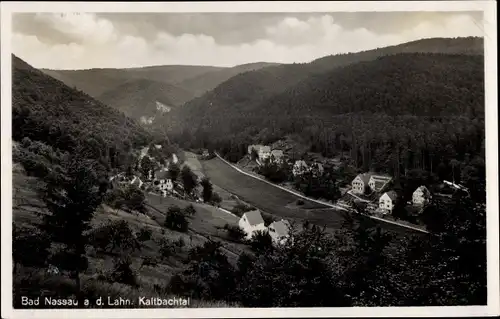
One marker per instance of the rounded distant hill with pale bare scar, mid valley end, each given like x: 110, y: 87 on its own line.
x: 144, y: 98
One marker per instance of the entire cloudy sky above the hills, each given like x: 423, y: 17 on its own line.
x: 122, y: 40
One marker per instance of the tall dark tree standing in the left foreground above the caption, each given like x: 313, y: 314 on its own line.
x: 72, y: 200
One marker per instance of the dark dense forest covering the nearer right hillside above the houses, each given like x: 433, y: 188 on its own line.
x: 395, y: 114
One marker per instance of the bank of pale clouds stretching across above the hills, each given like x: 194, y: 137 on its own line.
x: 88, y: 40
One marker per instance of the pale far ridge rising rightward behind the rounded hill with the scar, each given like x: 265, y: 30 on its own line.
x: 208, y: 81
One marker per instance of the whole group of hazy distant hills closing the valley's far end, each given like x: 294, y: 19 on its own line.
x: 138, y: 91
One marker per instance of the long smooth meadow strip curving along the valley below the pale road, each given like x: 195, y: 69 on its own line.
x: 275, y: 201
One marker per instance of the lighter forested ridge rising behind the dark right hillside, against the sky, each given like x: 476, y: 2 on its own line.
x: 251, y: 89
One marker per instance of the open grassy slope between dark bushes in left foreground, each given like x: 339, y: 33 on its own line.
x: 203, y: 225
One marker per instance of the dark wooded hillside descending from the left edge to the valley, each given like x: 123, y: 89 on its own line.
x: 46, y: 110
